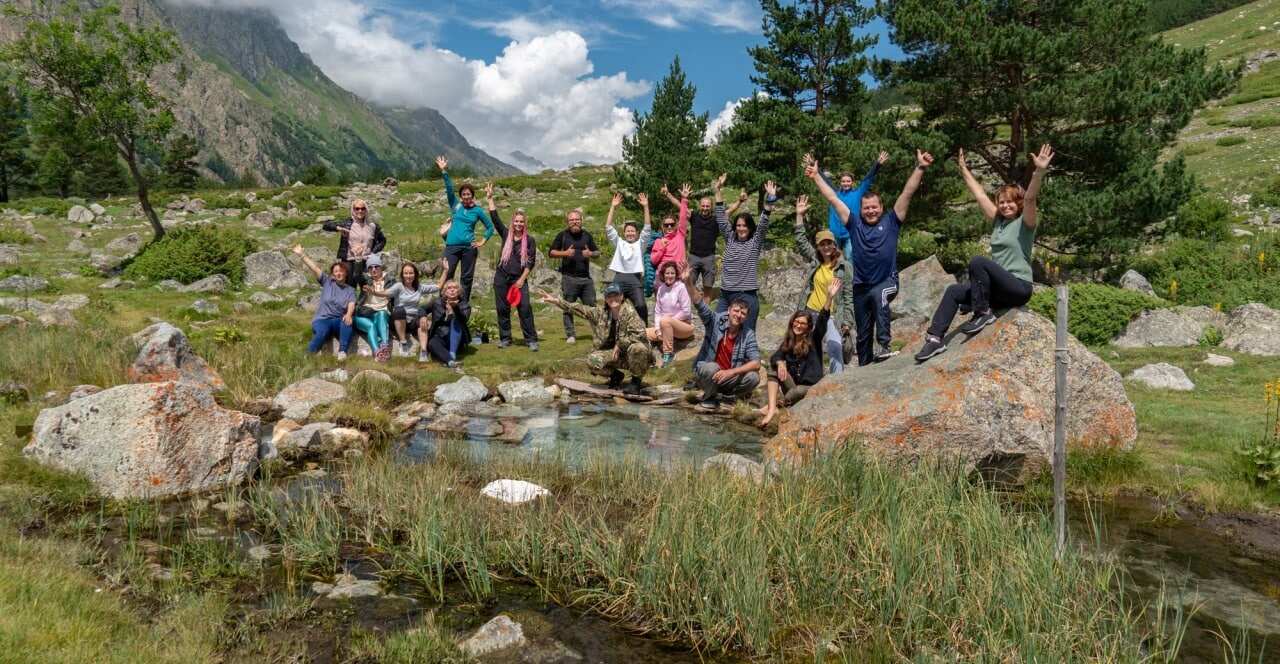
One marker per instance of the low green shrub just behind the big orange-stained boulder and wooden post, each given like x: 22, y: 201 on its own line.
x: 1099, y: 313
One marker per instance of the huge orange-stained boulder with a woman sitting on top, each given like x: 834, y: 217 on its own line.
x: 986, y: 404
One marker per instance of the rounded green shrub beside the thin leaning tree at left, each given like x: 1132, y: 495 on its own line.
x: 193, y: 254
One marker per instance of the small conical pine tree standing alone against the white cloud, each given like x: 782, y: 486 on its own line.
x: 668, y: 148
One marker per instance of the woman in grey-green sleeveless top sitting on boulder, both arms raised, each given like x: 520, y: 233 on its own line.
x: 1005, y: 280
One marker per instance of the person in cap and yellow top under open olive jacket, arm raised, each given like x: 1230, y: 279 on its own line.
x: 829, y: 265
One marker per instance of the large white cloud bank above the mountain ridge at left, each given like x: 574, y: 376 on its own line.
x: 540, y: 97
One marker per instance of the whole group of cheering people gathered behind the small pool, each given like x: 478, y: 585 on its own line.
x: 844, y: 314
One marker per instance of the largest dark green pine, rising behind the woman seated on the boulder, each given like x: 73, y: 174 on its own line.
x: 1000, y: 77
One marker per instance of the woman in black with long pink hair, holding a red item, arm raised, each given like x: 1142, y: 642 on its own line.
x: 511, y: 276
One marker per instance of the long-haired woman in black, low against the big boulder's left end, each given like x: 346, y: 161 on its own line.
x: 798, y: 363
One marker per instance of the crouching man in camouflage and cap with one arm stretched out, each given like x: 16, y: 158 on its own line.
x: 618, y: 336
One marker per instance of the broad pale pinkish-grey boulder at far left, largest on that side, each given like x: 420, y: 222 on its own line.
x: 148, y: 441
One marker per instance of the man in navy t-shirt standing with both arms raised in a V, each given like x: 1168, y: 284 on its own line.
x: 875, y: 244
